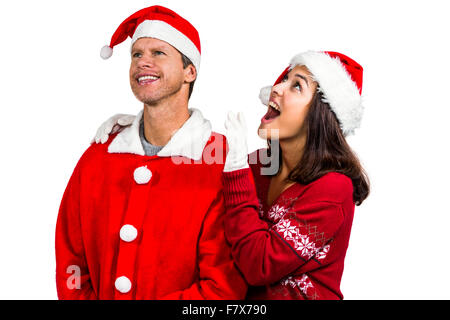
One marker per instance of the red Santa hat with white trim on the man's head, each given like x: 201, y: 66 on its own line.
x: 160, y: 23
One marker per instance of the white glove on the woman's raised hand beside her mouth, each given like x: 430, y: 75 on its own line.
x: 237, y: 142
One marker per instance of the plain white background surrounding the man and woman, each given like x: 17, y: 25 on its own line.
x: 56, y: 91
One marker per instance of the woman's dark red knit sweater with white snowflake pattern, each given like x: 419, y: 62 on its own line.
x: 295, y: 247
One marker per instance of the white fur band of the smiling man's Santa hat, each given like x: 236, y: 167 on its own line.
x: 163, y: 31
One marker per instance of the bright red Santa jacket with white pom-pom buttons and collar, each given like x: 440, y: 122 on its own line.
x: 147, y: 227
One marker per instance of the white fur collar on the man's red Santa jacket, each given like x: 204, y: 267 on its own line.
x: 188, y: 141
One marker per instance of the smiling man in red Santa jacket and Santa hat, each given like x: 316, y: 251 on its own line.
x: 142, y: 215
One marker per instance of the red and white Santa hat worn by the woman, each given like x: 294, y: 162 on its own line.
x: 340, y: 82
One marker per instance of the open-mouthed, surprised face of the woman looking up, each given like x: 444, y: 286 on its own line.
x: 288, y: 106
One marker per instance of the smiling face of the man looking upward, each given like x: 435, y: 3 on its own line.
x: 156, y: 71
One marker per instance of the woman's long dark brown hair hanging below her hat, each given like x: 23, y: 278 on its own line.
x: 326, y: 150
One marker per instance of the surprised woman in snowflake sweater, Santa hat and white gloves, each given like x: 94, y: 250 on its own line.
x: 289, y: 230
